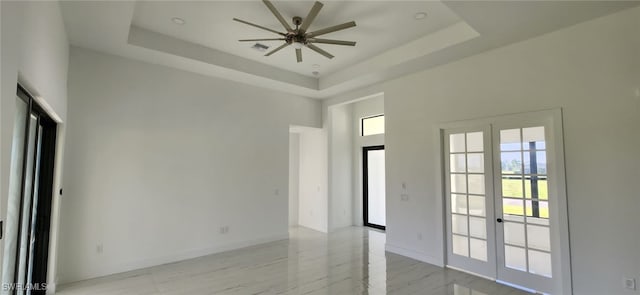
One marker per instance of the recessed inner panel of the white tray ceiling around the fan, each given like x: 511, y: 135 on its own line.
x: 380, y: 26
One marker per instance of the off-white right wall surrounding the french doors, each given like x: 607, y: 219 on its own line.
x: 591, y: 71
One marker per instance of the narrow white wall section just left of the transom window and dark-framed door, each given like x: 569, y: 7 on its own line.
x: 340, y: 167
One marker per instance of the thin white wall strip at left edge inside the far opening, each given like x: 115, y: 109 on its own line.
x: 294, y: 178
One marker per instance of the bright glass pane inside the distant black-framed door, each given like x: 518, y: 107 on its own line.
x: 376, y: 187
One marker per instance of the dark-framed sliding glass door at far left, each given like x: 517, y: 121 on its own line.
x: 29, y: 208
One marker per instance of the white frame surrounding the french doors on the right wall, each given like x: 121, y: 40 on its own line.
x: 552, y: 119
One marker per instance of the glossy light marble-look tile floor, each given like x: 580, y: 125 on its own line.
x: 349, y: 261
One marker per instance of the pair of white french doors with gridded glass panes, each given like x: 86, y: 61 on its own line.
x: 505, y: 201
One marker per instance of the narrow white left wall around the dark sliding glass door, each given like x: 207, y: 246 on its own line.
x: 34, y: 52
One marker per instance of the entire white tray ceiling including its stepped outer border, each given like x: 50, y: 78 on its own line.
x: 391, y: 42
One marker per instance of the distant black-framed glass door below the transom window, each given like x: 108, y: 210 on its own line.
x: 373, y: 191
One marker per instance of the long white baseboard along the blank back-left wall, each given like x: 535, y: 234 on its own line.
x: 176, y: 257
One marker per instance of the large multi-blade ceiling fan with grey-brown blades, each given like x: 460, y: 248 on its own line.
x: 299, y: 37
